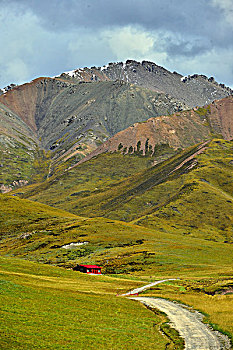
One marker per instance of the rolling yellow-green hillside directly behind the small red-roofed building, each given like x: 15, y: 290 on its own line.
x: 38, y: 232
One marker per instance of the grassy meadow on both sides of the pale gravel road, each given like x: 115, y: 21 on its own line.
x: 46, y: 307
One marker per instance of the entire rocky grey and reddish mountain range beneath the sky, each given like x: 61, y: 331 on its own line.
x: 51, y: 124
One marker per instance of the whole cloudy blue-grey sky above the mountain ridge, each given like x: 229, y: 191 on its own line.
x: 48, y: 37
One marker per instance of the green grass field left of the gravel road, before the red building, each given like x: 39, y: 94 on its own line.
x: 45, y: 307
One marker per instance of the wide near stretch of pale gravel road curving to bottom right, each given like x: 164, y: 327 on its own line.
x: 197, y: 335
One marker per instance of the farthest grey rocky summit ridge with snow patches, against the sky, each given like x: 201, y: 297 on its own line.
x: 193, y: 90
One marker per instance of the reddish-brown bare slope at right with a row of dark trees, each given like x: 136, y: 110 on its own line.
x: 179, y: 130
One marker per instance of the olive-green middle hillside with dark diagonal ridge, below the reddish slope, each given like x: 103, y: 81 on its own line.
x: 190, y: 193
